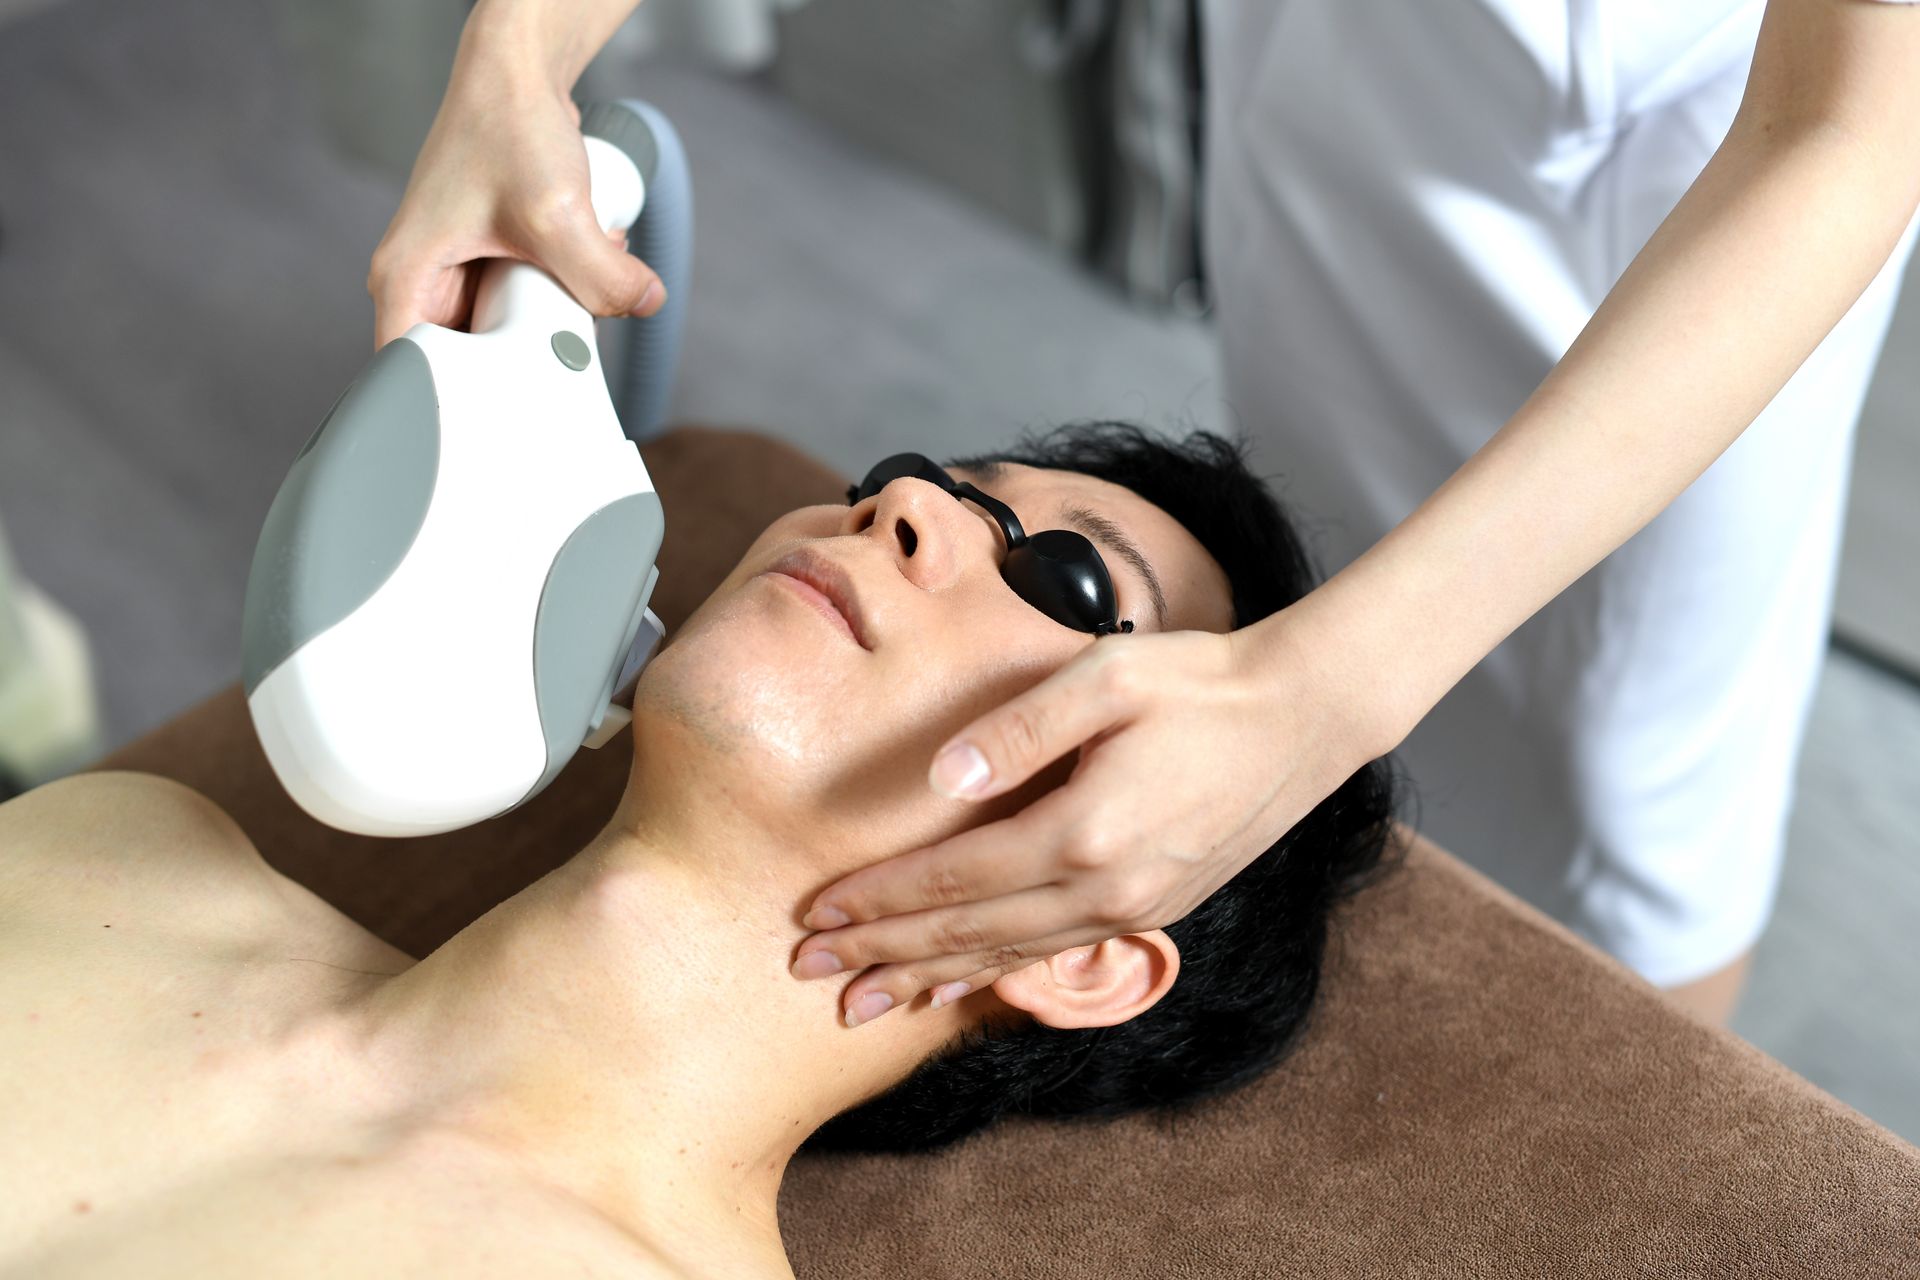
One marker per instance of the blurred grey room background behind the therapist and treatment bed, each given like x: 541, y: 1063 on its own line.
x: 919, y: 225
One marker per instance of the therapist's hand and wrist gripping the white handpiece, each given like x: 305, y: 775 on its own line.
x: 504, y: 174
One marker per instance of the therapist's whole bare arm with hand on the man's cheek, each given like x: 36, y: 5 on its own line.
x: 1775, y: 241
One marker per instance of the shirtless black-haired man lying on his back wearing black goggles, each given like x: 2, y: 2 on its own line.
x: 210, y: 1072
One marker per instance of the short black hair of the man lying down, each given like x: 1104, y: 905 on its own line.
x: 1251, y: 955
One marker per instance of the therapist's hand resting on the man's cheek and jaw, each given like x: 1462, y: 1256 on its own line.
x: 1197, y: 751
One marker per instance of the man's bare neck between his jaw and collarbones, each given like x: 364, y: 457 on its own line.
x: 629, y: 1030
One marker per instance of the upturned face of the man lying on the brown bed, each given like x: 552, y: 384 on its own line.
x: 811, y: 726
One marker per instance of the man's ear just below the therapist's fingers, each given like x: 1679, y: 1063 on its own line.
x: 1095, y: 985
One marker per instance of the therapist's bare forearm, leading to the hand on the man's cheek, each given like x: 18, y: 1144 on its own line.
x: 1777, y: 239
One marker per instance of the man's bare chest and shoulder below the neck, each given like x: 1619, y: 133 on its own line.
x: 174, y: 1102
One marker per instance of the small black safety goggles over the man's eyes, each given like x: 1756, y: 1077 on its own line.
x: 1055, y: 571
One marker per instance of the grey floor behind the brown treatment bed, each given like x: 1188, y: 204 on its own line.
x: 181, y: 296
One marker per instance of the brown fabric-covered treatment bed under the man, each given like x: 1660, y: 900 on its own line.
x: 1481, y: 1095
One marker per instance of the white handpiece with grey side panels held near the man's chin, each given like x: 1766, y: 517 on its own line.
x: 492, y: 644
